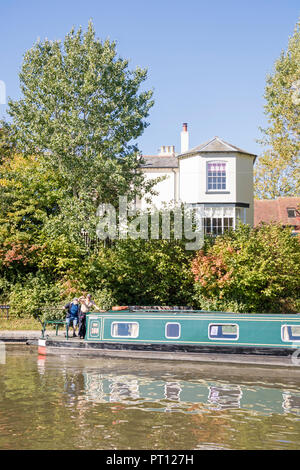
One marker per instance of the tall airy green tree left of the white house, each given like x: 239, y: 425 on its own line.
x: 80, y: 113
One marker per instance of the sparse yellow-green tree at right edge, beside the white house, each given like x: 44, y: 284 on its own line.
x: 277, y: 171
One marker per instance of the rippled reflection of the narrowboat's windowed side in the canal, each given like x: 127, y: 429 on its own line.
x: 130, y: 390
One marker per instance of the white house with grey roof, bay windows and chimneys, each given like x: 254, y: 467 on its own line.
x: 215, y: 177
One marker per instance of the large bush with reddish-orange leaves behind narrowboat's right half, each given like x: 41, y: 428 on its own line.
x: 249, y: 270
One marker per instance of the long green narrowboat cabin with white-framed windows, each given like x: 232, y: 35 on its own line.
x: 193, y: 331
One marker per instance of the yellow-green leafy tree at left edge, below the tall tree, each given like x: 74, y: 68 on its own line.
x: 28, y: 196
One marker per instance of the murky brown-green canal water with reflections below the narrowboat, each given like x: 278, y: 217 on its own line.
x: 65, y: 402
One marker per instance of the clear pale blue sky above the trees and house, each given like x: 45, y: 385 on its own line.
x: 207, y: 61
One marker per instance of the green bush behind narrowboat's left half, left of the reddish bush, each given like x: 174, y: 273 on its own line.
x: 142, y: 272
